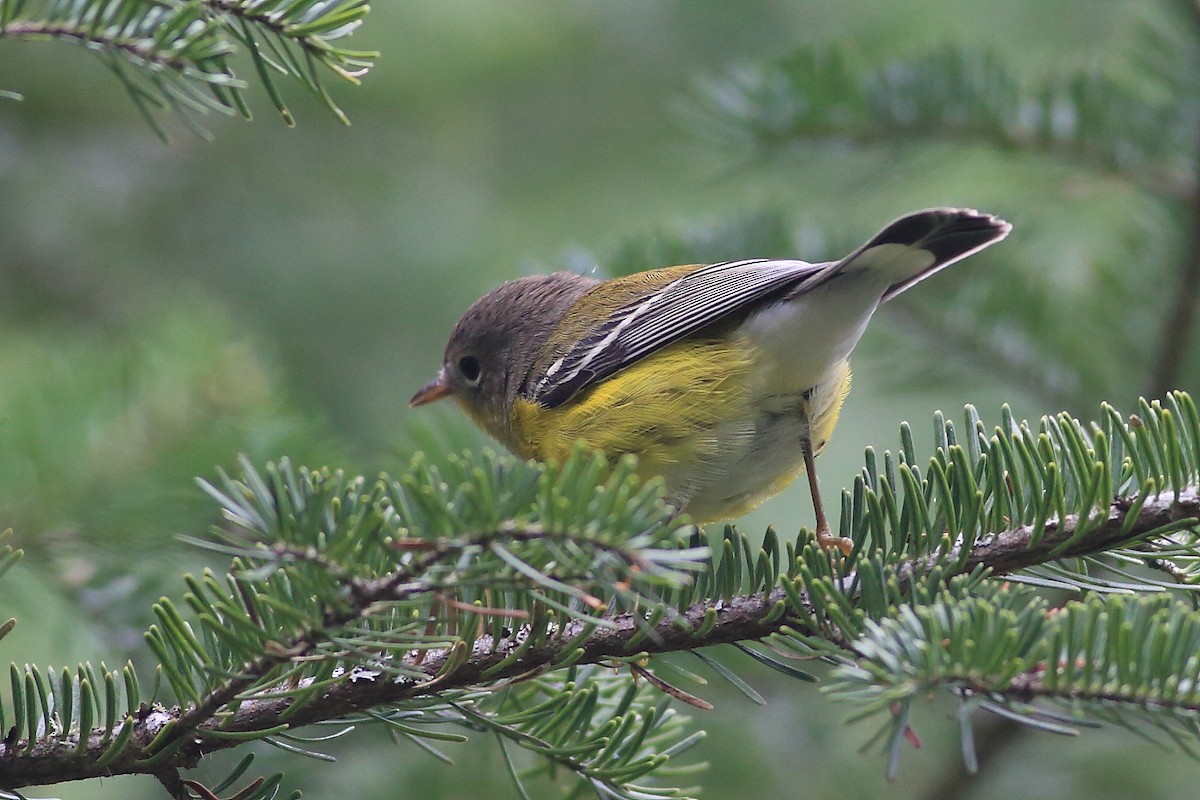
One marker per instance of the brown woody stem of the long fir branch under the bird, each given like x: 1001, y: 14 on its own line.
x: 740, y: 619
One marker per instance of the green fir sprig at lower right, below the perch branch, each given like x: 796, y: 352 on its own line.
x: 1113, y: 659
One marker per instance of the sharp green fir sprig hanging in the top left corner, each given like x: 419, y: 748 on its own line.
x: 178, y: 56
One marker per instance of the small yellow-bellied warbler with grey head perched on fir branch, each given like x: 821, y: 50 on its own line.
x: 725, y: 380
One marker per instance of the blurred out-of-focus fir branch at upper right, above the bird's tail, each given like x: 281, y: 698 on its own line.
x: 952, y: 94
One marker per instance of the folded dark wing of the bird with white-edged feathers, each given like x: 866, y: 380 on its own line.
x: 664, y: 317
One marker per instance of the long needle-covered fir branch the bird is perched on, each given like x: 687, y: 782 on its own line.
x: 338, y: 598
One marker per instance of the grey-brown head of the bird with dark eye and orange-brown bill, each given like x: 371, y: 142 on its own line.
x: 496, y: 344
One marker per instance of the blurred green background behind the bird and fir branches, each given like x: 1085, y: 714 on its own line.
x: 284, y: 292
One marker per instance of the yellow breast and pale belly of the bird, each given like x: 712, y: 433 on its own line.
x: 695, y: 414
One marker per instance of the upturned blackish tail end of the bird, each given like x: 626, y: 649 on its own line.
x: 917, y: 245
